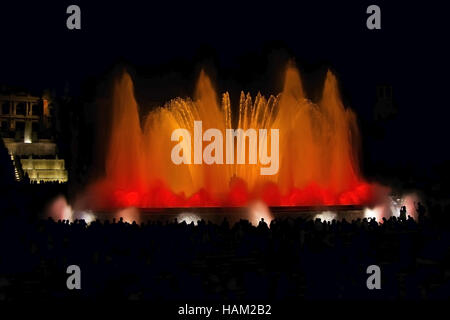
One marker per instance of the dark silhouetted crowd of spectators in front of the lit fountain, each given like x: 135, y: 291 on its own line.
x: 287, y: 259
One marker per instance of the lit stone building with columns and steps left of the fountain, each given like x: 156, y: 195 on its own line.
x: 26, y: 130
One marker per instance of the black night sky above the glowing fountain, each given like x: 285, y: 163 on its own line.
x: 409, y: 52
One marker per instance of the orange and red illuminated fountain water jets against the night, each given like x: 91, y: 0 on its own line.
x: 318, y: 151
